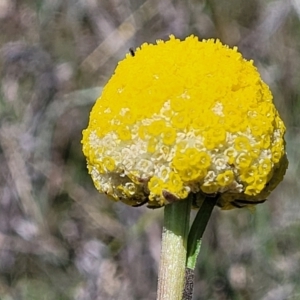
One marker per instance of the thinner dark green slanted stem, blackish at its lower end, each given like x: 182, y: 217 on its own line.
x: 194, y: 244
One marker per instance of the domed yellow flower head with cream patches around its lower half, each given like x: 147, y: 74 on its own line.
x: 184, y: 117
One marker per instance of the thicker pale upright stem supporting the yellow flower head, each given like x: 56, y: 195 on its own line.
x: 174, y: 250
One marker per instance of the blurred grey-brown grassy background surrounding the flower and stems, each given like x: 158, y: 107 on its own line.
x: 59, y: 238
